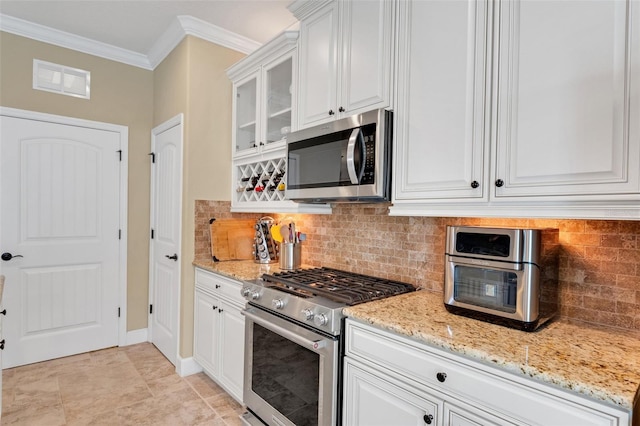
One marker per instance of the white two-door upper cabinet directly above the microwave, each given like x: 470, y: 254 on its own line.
x: 346, y: 58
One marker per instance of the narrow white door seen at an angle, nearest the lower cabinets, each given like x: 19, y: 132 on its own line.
x: 166, y: 220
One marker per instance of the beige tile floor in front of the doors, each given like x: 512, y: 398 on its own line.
x: 132, y: 385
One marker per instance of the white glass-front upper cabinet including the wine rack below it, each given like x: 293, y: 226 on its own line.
x: 264, y: 112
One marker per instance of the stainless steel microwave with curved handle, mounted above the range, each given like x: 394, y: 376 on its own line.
x: 348, y: 160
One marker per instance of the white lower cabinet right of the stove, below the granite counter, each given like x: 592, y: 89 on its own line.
x: 392, y: 380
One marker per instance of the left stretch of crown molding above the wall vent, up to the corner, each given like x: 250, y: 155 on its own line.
x: 70, y: 41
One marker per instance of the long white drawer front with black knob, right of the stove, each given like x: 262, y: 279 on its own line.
x: 487, y: 387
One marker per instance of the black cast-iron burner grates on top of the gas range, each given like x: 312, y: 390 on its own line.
x: 339, y: 286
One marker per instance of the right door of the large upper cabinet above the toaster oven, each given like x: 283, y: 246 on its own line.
x: 568, y: 98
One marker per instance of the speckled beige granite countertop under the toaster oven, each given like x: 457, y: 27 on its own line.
x: 598, y: 363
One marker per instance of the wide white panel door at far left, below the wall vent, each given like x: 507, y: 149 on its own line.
x: 61, y: 213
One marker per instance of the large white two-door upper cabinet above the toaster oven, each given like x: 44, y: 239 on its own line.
x: 518, y: 108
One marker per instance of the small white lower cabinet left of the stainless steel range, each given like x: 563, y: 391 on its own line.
x: 219, y: 330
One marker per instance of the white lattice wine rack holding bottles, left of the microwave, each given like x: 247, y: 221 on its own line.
x: 261, y: 181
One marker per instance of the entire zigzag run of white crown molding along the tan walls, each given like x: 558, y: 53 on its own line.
x: 179, y: 28
